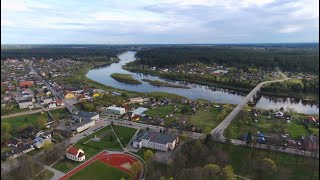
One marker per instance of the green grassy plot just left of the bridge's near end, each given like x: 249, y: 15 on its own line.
x: 208, y: 118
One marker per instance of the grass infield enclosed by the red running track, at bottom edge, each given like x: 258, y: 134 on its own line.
x: 99, y: 171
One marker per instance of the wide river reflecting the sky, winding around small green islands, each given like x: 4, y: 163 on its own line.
x: 196, y: 91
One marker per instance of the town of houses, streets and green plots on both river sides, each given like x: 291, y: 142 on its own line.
x: 42, y: 110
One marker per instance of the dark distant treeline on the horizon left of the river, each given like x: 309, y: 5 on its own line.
x: 93, y: 53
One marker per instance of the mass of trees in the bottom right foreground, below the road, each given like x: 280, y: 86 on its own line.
x: 207, y: 159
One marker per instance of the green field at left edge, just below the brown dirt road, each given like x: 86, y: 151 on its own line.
x: 20, y: 122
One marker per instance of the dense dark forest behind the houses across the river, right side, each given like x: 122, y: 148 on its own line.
x: 288, y: 59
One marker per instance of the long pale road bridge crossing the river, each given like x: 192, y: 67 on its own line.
x: 218, y: 131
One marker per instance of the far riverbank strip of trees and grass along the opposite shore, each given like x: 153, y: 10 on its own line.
x: 304, y: 97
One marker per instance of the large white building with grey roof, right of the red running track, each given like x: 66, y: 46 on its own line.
x: 156, y: 140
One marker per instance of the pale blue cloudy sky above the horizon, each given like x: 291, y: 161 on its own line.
x: 158, y: 21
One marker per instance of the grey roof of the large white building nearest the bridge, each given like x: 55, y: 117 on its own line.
x: 157, y: 137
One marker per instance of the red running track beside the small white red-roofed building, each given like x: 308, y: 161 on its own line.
x: 115, y: 160
